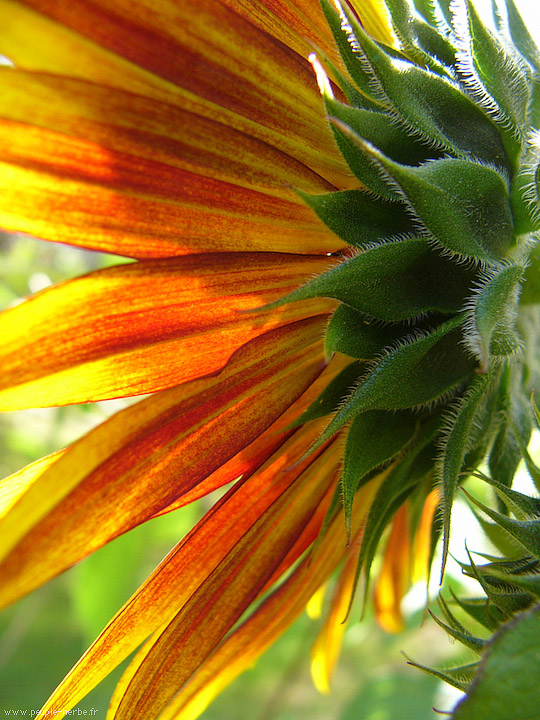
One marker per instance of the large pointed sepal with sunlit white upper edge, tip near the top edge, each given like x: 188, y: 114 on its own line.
x: 431, y: 106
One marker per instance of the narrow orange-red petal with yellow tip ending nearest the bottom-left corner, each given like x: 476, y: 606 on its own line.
x: 186, y: 567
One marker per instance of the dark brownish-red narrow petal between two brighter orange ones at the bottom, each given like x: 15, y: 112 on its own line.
x: 220, y: 601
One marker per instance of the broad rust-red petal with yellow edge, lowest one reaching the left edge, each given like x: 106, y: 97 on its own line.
x: 142, y: 459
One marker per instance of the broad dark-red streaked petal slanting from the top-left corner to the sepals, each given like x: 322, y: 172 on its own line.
x: 210, y: 52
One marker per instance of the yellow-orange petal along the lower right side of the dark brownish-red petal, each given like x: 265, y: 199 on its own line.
x: 241, y: 649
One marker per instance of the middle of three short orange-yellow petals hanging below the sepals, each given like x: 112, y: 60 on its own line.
x: 394, y: 578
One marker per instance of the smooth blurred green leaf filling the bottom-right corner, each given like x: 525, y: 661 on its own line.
x: 507, y: 684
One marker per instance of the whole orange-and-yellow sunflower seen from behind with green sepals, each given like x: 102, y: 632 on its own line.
x: 330, y: 211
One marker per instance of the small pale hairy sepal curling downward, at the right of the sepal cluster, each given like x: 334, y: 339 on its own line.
x: 493, y: 308
